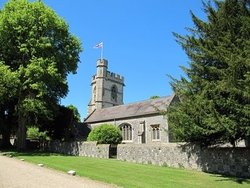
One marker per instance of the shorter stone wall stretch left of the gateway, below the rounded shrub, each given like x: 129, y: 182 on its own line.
x: 87, y: 149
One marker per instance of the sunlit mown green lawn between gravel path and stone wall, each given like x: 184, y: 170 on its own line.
x: 132, y: 175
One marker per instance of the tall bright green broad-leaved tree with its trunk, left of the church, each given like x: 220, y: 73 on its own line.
x: 37, y: 47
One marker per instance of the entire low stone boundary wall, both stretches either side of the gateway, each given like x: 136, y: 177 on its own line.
x: 227, y: 161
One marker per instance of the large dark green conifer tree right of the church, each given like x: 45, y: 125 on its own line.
x: 214, y: 96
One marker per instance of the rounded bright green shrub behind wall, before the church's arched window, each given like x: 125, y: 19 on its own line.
x: 105, y: 134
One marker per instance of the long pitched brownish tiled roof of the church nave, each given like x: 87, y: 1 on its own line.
x: 148, y: 107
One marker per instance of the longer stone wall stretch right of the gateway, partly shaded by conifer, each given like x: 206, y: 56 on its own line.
x: 227, y: 161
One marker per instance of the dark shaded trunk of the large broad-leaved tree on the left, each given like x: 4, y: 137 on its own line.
x: 21, y: 132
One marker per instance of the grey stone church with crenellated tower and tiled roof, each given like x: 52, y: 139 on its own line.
x: 140, y: 122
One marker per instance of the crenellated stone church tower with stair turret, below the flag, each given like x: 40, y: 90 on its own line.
x: 107, y: 88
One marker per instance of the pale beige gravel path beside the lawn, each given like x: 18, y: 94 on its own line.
x: 15, y: 173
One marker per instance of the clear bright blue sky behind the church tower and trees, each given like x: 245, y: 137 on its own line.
x: 138, y: 43
